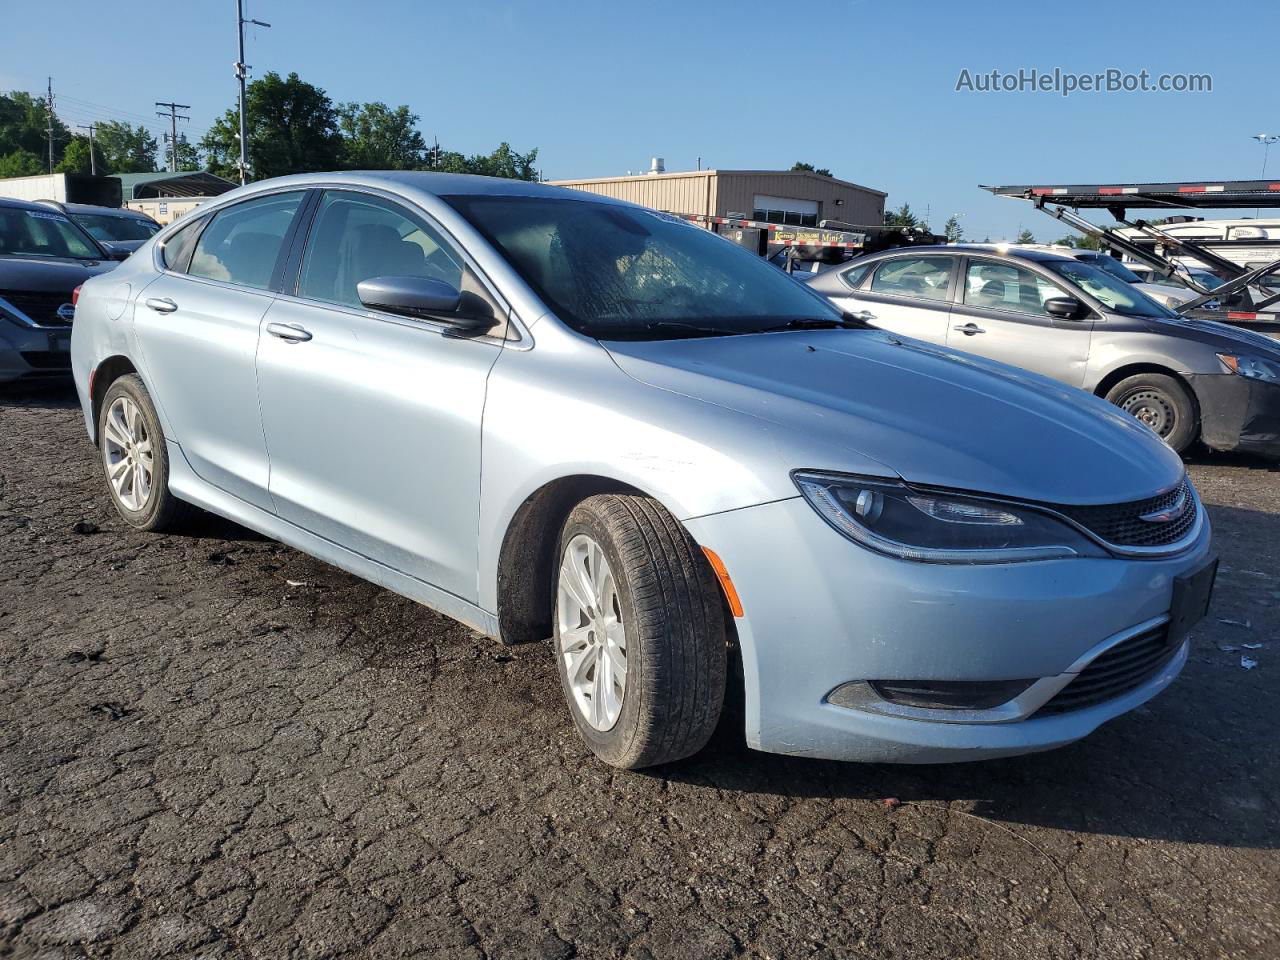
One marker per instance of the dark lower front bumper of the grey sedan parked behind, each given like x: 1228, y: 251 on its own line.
x: 1238, y: 414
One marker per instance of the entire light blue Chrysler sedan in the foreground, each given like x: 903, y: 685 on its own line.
x: 555, y: 415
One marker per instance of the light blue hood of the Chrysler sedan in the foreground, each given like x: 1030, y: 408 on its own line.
x: 931, y: 415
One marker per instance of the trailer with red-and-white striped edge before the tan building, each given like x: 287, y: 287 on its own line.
x: 829, y: 243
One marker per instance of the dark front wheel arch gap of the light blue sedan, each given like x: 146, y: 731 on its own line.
x: 527, y: 560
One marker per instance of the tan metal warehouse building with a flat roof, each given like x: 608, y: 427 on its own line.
x: 796, y: 198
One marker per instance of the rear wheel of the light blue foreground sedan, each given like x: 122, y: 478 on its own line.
x: 135, y: 459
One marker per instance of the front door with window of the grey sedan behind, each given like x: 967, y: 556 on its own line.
x: 1000, y: 314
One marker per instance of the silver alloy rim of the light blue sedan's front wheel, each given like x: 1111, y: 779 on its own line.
x: 592, y: 639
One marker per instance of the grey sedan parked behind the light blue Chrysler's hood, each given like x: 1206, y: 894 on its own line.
x: 1057, y: 316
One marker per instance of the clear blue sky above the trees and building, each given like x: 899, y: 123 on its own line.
x: 866, y: 89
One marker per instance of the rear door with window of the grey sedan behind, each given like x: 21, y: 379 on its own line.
x: 908, y: 294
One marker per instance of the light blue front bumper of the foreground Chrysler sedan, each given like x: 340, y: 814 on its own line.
x: 822, y: 612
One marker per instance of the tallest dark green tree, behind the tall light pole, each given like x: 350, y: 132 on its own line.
x: 292, y: 127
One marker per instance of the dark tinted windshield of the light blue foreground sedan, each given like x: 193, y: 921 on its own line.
x: 618, y: 272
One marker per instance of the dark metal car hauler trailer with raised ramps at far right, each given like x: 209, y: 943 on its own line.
x: 1251, y: 296
